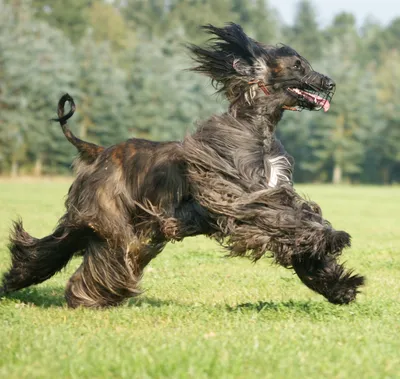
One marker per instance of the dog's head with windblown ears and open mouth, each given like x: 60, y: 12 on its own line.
x: 243, y: 68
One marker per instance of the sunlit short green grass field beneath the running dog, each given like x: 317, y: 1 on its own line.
x: 203, y: 316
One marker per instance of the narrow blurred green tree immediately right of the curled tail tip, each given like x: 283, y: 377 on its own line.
x: 101, y: 94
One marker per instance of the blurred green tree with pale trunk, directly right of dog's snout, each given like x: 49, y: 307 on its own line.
x: 339, y: 137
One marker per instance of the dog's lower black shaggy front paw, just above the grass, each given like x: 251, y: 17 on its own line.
x: 327, y: 277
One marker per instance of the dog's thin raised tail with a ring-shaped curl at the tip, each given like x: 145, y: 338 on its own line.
x: 88, y: 152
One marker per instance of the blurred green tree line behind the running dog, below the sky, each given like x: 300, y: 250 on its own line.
x: 124, y: 63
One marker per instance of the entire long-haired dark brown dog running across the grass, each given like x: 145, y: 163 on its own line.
x: 230, y: 180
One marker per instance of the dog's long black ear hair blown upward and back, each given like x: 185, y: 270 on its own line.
x: 230, y: 53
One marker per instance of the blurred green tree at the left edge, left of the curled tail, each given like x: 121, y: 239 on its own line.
x: 36, y: 64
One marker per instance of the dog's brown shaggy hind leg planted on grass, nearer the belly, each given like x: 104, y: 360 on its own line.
x: 106, y: 277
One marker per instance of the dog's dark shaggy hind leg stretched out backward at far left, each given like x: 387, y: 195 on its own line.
x: 34, y: 260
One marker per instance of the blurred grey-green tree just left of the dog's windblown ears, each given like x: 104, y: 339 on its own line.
x: 165, y: 98
